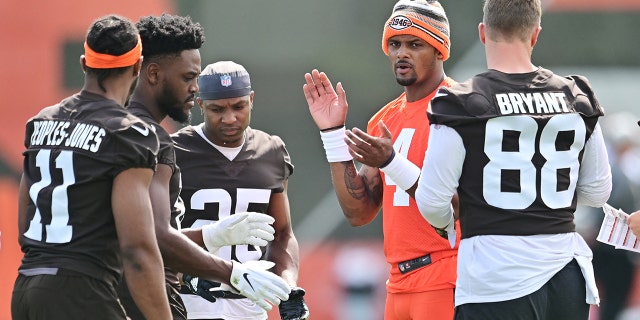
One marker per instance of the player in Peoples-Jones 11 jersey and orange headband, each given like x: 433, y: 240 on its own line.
x: 84, y: 209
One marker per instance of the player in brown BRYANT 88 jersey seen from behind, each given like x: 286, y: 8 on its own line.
x: 522, y: 147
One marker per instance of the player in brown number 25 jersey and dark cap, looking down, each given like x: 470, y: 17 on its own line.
x: 229, y: 170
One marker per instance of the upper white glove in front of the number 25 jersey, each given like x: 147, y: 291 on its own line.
x: 241, y: 228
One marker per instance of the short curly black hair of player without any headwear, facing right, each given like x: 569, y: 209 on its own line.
x: 168, y: 35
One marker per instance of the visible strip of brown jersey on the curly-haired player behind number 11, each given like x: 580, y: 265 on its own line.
x: 166, y: 156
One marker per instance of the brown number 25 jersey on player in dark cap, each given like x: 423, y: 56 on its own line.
x: 214, y: 187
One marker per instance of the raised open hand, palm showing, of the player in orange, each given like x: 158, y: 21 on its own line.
x: 328, y: 107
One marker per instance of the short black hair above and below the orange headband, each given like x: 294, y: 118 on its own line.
x: 113, y: 35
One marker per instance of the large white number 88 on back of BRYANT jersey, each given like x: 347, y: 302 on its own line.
x: 521, y: 160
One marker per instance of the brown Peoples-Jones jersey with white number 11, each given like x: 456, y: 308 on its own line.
x: 73, y: 152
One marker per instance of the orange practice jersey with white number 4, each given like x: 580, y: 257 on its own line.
x: 407, y: 235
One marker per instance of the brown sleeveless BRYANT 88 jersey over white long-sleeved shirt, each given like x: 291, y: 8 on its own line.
x: 524, y: 136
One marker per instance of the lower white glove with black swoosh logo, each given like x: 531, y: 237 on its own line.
x: 253, y: 281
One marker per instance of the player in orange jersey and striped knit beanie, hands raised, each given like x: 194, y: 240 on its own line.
x: 423, y: 260
